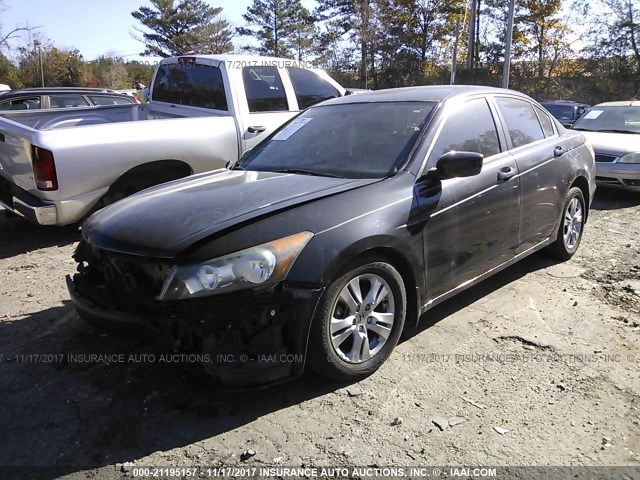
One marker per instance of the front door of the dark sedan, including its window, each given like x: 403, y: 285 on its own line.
x: 474, y: 226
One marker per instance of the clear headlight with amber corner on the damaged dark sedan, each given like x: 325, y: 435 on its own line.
x: 262, y: 265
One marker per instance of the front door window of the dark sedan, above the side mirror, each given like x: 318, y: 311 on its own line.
x: 469, y: 129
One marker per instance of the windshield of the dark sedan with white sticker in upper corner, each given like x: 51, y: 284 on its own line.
x: 356, y: 140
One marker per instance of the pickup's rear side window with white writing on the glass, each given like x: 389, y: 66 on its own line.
x: 264, y: 89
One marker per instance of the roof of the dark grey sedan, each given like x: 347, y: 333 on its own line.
x: 432, y: 93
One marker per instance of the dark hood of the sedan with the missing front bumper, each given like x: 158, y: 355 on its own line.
x: 165, y: 220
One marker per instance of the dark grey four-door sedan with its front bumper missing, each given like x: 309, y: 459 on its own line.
x: 340, y: 230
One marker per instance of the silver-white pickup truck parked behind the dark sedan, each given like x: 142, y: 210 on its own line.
x: 59, y: 165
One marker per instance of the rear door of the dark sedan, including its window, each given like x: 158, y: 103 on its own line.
x: 536, y: 146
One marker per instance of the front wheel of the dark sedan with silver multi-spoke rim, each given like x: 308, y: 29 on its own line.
x: 347, y: 340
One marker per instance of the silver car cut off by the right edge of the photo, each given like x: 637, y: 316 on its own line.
x: 613, y: 129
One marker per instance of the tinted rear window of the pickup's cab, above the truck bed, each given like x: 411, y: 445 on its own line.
x: 192, y: 84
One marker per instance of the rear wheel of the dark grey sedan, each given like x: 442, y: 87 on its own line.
x: 571, y: 226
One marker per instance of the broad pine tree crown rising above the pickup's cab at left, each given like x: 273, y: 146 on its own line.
x: 185, y: 27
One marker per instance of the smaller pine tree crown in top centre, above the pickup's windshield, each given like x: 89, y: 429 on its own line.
x: 278, y: 25
